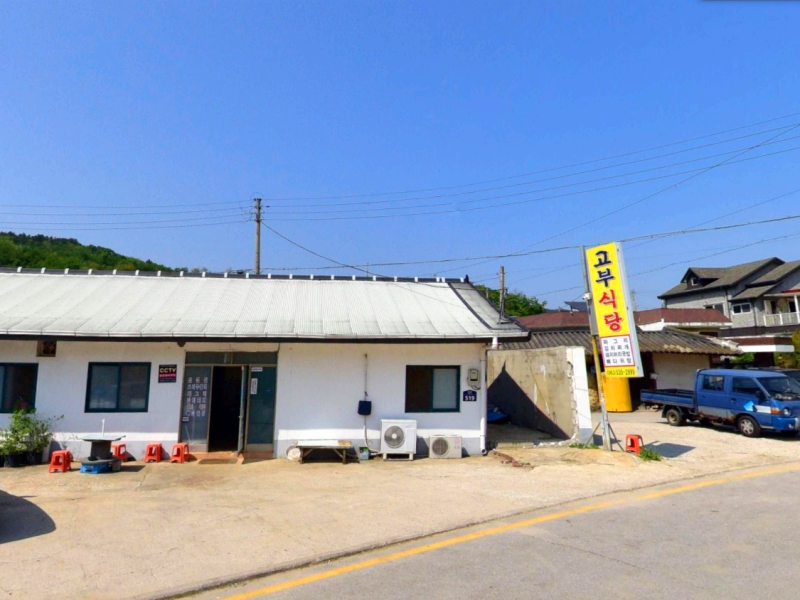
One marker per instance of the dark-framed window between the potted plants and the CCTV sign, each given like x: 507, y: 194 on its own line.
x: 118, y: 387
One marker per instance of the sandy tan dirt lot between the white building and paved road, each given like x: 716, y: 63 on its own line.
x: 162, y: 527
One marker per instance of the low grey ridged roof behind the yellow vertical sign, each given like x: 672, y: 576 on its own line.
x: 665, y: 341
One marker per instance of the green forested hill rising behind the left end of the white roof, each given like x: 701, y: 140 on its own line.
x: 21, y: 250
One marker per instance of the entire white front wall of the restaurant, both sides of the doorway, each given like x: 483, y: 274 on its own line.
x: 318, y: 389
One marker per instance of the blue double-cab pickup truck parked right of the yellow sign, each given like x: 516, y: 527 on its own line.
x: 751, y: 401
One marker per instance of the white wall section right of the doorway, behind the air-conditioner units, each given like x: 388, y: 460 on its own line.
x: 319, y: 386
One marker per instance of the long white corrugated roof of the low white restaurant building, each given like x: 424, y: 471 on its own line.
x: 149, y: 306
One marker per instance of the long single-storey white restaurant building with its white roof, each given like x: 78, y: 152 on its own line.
x: 240, y: 363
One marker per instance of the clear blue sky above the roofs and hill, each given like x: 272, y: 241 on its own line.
x: 178, y: 113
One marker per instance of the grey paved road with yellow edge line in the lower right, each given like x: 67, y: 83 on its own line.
x: 736, y: 539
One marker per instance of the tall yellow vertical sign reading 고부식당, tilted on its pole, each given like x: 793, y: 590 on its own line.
x: 612, y: 311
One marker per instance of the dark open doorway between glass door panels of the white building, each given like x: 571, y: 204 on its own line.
x: 226, y: 395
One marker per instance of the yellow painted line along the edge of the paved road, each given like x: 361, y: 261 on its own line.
x: 293, y: 583
